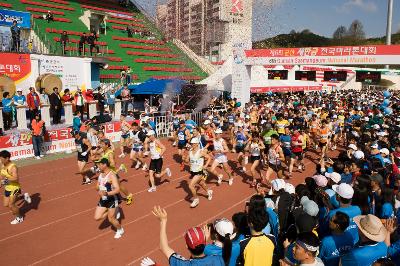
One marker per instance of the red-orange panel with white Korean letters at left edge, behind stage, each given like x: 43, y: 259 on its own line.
x: 15, y: 66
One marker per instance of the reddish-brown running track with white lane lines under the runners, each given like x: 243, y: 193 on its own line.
x: 59, y: 228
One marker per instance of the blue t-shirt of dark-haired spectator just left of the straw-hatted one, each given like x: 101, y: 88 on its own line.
x: 333, y: 247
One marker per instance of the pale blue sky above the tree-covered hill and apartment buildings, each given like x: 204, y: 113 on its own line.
x: 272, y: 17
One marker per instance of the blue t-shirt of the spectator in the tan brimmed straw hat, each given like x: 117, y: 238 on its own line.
x: 365, y: 255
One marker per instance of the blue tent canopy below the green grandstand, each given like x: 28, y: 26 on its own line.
x: 158, y: 86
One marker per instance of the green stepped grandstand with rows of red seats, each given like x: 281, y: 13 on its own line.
x: 148, y: 55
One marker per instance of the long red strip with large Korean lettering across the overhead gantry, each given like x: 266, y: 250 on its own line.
x: 326, y: 51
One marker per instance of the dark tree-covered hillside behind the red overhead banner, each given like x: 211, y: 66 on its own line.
x: 352, y: 35
